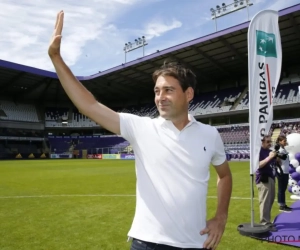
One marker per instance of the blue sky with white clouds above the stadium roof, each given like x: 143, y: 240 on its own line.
x: 95, y: 31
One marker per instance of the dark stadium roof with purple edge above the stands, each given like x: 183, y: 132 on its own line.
x: 215, y: 57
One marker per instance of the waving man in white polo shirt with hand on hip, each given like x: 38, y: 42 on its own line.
x: 173, y: 155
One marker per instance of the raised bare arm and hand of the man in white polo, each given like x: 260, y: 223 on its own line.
x: 79, y: 95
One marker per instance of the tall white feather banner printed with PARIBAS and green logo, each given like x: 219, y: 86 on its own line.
x: 264, y: 69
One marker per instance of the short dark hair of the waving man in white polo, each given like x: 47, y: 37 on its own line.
x: 179, y: 71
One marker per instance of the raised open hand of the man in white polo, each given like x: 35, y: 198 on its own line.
x: 54, y: 47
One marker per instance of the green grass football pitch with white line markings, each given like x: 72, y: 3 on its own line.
x: 89, y: 204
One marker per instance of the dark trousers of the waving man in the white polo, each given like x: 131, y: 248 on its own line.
x: 143, y: 245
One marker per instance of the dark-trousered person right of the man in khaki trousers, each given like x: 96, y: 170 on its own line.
x: 283, y: 175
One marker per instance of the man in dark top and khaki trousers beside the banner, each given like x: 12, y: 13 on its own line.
x: 265, y: 182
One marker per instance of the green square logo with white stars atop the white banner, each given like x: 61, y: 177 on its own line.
x: 265, y: 44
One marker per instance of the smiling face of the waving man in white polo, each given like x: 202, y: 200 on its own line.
x: 170, y: 99
